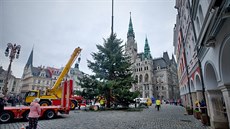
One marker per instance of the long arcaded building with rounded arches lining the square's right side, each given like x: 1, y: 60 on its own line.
x: 202, y: 44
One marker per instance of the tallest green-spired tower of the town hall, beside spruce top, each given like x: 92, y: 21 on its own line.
x: 131, y: 45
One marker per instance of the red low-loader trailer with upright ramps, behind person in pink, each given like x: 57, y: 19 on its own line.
x: 48, y: 112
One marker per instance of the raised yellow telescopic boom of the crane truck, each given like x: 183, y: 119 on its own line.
x: 66, y: 68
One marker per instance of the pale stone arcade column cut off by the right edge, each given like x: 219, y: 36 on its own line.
x: 226, y: 94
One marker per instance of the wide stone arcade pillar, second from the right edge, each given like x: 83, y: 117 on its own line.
x: 217, y: 118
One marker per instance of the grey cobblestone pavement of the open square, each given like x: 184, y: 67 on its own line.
x: 169, y: 117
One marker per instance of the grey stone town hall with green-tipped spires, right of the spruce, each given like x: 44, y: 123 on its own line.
x: 155, y: 77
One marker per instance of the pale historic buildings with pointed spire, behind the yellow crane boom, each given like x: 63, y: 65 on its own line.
x: 40, y: 78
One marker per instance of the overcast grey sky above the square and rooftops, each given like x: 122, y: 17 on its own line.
x: 56, y: 27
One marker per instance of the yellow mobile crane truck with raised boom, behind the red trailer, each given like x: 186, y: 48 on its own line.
x: 53, y: 96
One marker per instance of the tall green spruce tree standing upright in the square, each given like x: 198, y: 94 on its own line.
x: 112, y: 67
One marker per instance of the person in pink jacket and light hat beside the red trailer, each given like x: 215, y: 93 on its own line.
x: 35, y: 112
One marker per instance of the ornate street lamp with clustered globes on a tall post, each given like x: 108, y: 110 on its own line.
x: 11, y: 50
